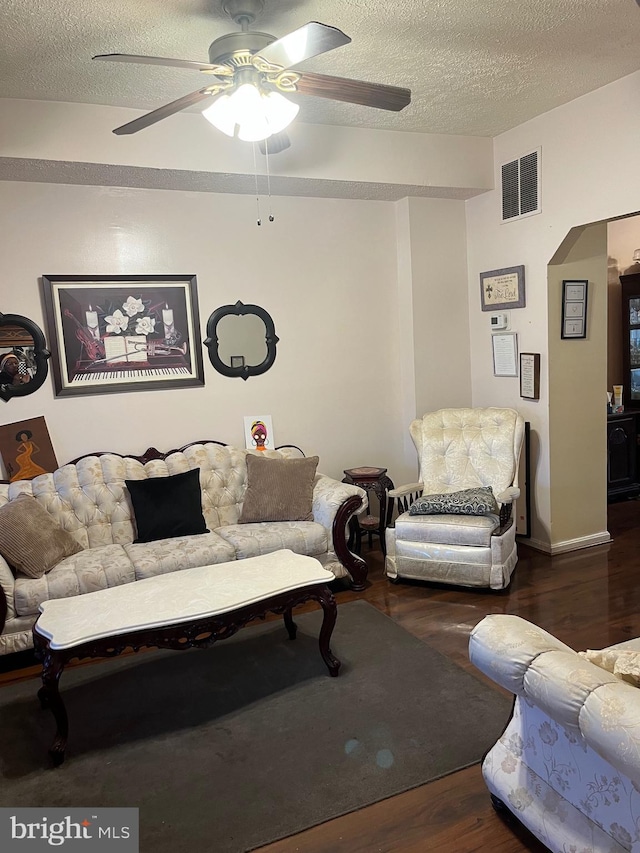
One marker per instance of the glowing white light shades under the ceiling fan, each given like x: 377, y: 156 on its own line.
x: 256, y: 114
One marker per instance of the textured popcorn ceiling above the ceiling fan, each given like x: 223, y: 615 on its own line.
x: 475, y: 67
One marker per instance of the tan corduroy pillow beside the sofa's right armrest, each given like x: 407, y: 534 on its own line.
x: 278, y: 489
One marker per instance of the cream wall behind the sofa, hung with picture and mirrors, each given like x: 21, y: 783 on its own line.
x: 325, y: 270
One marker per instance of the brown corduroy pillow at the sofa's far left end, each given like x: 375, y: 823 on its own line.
x: 30, y: 539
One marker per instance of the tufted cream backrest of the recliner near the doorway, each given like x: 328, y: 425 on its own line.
x: 465, y: 448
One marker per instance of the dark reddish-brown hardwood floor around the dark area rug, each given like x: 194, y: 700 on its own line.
x: 588, y: 599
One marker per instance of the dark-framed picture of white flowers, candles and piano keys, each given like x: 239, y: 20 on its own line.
x: 123, y: 333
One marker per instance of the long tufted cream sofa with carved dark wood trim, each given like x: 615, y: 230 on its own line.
x: 90, y: 500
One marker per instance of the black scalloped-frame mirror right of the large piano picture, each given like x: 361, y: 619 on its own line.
x: 241, y: 340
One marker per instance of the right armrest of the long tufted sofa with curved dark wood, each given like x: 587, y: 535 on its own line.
x: 334, y: 503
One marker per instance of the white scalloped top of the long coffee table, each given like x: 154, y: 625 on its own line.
x: 175, y: 597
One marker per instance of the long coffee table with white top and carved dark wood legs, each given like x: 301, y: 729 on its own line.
x: 193, y: 608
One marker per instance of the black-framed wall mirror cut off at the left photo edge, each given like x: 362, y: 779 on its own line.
x: 23, y: 356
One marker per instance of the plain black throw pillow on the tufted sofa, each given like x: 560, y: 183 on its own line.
x: 165, y: 507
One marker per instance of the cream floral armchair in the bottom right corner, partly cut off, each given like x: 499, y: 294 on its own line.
x: 568, y: 763
